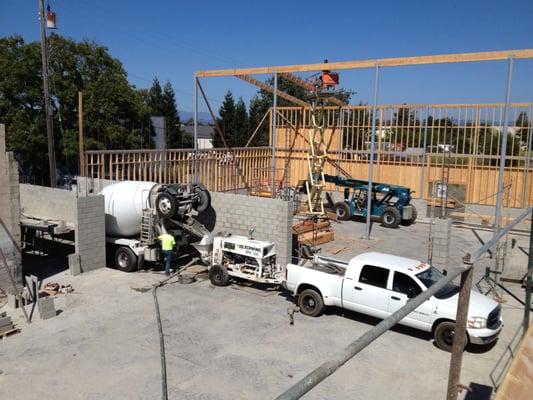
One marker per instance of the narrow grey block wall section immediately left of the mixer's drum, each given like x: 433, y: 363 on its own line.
x: 90, y: 235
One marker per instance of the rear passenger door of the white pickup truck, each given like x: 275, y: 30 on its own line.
x: 367, y: 293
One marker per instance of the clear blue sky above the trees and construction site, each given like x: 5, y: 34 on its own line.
x: 172, y: 39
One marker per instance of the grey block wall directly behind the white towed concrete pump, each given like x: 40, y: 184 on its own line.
x: 272, y: 219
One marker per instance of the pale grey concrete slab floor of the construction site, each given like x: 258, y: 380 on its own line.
x: 231, y: 343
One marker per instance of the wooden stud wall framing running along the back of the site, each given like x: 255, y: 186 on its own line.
x: 400, y: 154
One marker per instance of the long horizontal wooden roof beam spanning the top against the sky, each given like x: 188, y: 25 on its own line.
x: 383, y: 62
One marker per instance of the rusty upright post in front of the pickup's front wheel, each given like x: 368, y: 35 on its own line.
x: 459, y: 337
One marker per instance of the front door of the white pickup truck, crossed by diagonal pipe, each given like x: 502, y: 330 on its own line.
x: 403, y: 289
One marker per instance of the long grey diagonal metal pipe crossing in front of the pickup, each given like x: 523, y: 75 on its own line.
x: 312, y: 379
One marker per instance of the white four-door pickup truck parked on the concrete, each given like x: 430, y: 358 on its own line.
x: 379, y: 284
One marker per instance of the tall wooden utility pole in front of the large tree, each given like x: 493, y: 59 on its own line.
x: 47, y: 103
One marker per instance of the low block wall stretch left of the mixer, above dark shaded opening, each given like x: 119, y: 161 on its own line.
x: 47, y: 203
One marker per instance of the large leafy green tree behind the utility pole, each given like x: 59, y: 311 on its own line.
x: 115, y: 115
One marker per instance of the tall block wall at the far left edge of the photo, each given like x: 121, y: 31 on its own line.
x: 9, y: 213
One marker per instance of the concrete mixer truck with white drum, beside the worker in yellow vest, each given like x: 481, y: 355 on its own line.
x: 136, y: 213
